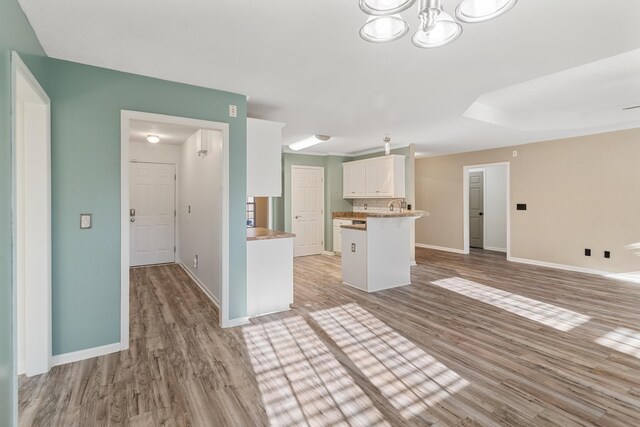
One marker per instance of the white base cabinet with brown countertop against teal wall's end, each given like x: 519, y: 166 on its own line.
x: 269, y: 271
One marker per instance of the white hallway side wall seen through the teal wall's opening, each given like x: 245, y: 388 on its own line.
x: 200, y: 186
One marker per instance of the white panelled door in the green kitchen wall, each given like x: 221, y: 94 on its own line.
x: 307, y: 209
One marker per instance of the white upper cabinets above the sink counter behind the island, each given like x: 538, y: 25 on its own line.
x: 379, y: 177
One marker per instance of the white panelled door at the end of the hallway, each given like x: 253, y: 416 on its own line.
x: 152, y: 213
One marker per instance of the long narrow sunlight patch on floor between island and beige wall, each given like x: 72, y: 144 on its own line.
x: 538, y: 311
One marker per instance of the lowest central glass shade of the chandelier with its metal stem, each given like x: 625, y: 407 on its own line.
x: 437, y: 28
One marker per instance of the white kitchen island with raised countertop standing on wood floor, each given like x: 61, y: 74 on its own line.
x: 376, y: 255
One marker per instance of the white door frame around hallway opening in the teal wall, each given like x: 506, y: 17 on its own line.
x: 125, y: 118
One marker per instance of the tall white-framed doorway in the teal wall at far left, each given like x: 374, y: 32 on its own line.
x: 31, y: 141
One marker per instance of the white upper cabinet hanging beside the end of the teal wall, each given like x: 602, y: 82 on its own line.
x: 264, y: 158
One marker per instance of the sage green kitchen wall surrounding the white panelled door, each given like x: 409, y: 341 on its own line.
x: 333, y: 200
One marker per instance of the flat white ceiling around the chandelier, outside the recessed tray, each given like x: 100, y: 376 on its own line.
x: 303, y: 63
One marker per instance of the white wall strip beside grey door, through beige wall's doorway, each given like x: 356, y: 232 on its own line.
x: 495, y: 208
